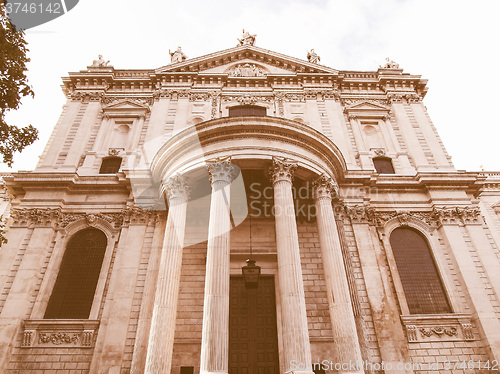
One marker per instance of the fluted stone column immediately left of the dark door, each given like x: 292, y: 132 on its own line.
x: 215, y: 334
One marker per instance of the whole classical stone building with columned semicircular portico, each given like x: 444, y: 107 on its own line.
x: 126, y: 243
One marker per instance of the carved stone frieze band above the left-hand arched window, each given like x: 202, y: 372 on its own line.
x: 56, y: 218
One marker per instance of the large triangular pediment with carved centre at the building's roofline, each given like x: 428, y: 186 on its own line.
x: 261, y: 62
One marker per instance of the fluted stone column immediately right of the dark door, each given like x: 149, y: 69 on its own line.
x: 296, y: 345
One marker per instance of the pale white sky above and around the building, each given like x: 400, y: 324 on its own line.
x: 453, y: 44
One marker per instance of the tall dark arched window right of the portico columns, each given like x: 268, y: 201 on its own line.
x: 422, y: 285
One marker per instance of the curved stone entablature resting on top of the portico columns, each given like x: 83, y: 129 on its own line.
x: 257, y: 138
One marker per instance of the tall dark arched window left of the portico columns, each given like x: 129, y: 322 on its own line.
x: 76, y: 281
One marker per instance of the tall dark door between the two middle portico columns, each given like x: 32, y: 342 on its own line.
x: 253, y: 338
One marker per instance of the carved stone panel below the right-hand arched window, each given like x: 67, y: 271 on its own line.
x: 438, y: 327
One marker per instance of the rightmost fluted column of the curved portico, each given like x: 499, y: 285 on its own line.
x: 347, y: 349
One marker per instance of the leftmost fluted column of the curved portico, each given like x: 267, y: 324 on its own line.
x: 161, y: 337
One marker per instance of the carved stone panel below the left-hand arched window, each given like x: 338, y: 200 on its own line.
x: 55, y: 333
